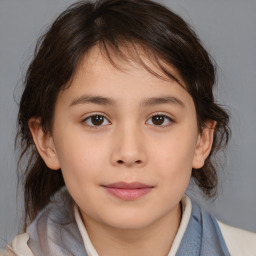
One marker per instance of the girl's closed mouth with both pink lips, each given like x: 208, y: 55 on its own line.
x: 128, y: 191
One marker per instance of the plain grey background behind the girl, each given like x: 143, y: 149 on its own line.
x: 227, y: 29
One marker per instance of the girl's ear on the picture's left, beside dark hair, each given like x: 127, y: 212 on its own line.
x: 44, y: 144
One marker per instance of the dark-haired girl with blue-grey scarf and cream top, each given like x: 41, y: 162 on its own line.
x: 116, y: 117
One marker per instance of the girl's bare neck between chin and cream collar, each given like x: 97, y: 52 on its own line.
x: 155, y: 239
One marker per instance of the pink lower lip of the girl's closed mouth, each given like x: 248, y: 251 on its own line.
x: 128, y: 194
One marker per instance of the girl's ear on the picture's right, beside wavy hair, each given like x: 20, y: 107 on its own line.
x: 204, y: 144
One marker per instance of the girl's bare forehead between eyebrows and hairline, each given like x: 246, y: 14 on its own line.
x: 124, y: 78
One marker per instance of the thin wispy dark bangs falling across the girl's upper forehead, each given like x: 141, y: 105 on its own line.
x: 123, y: 53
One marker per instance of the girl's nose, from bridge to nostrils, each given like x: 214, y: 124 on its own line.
x: 128, y: 148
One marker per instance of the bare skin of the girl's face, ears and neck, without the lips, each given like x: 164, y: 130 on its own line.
x: 128, y: 146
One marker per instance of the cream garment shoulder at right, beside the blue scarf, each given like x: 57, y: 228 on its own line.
x: 238, y: 241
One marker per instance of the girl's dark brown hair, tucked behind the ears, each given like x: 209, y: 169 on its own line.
x: 114, y: 25
